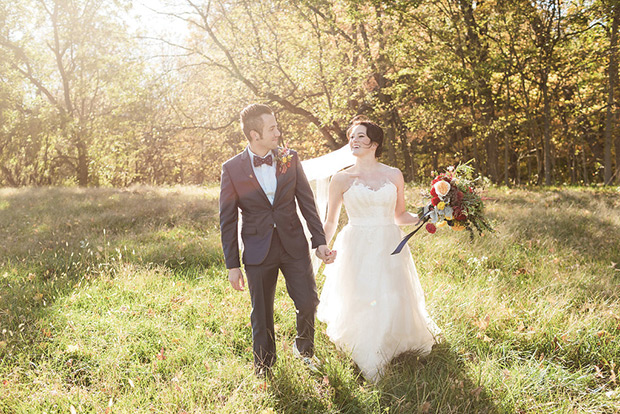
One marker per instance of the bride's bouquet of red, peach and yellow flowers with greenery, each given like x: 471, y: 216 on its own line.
x: 455, y: 201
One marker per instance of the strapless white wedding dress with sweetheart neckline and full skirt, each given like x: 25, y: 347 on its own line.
x: 372, y: 302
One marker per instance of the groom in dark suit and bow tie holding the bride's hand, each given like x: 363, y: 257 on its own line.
x: 266, y: 183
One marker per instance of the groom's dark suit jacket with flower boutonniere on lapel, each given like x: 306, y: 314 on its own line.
x: 240, y: 190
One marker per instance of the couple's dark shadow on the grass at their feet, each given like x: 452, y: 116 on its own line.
x: 437, y: 383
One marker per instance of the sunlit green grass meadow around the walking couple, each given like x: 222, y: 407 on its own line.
x: 116, y: 301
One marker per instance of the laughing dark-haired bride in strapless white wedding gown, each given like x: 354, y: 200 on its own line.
x: 372, y: 302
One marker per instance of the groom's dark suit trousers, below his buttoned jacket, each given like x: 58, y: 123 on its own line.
x: 301, y: 287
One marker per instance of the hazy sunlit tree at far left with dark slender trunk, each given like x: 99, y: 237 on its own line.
x: 69, y: 53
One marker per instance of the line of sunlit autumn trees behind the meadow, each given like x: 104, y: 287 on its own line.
x: 526, y: 88
